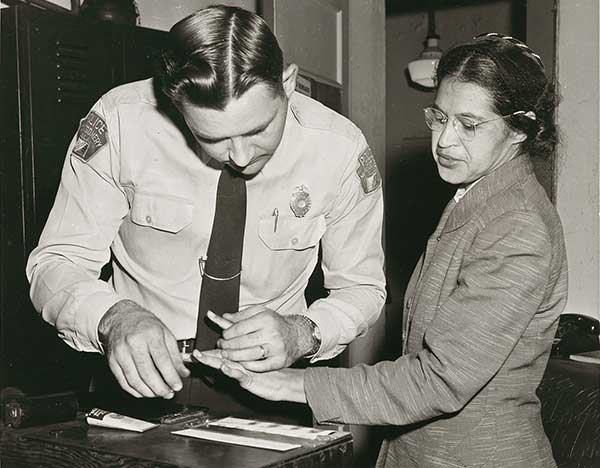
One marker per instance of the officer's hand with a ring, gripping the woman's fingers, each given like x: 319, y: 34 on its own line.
x: 261, y: 339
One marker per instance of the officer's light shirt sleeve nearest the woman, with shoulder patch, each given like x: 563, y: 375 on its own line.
x: 352, y: 257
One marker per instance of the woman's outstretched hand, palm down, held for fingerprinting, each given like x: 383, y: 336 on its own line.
x: 281, y: 385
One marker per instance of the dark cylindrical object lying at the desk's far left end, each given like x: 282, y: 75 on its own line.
x: 20, y: 410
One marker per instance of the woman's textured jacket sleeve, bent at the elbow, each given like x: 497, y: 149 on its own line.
x: 499, y: 290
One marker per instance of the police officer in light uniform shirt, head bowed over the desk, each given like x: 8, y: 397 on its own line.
x: 139, y: 182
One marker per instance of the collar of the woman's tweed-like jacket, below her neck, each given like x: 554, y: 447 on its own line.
x: 502, y: 179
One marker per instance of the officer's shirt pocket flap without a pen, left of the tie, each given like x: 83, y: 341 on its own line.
x: 166, y: 214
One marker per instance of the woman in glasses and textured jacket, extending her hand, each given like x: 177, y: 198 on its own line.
x: 483, y: 302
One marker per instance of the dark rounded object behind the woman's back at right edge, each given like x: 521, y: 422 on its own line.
x: 576, y: 334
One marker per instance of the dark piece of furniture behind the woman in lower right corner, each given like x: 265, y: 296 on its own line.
x: 570, y: 396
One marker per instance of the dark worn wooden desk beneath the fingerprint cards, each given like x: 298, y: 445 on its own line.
x: 75, y: 444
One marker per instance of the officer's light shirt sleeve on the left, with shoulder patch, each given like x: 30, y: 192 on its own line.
x: 64, y: 268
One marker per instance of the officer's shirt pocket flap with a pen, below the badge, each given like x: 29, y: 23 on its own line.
x: 291, y: 233
